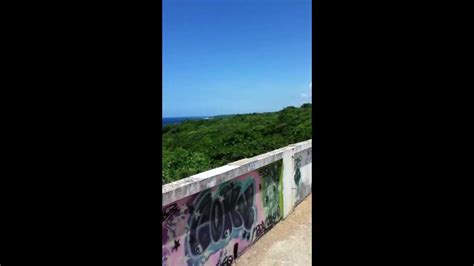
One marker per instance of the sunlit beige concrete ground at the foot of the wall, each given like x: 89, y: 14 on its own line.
x: 288, y: 243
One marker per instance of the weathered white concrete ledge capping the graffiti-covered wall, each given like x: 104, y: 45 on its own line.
x: 191, y: 185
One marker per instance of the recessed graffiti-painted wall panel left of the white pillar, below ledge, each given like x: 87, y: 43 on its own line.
x: 215, y: 226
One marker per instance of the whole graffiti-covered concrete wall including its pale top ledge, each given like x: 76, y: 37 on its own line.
x: 212, y: 217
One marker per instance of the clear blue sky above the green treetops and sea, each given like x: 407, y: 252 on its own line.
x: 235, y: 56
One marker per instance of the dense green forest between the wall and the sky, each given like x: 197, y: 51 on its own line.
x: 197, y: 146
